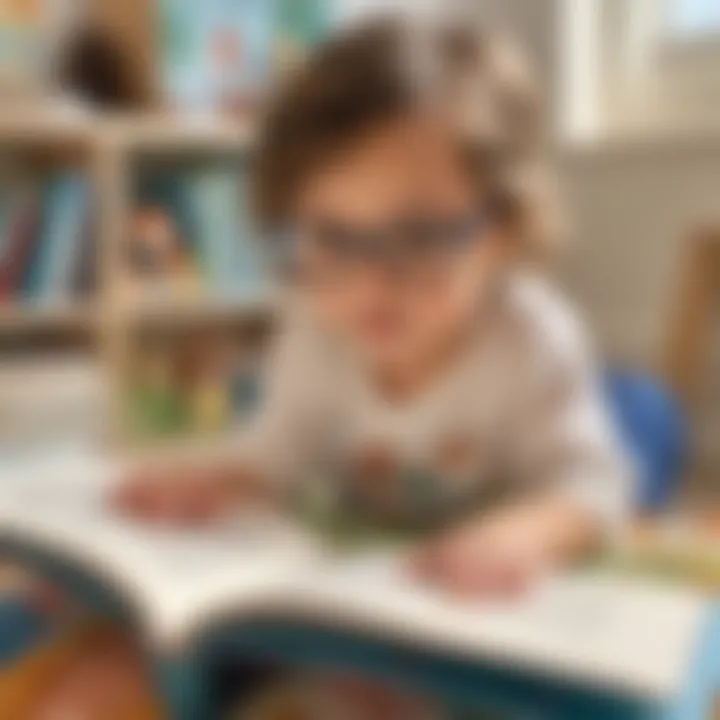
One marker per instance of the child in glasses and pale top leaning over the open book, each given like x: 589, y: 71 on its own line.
x: 425, y: 367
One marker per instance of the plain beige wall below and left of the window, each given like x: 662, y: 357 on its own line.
x: 633, y: 204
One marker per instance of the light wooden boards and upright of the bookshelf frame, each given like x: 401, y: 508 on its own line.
x: 110, y: 149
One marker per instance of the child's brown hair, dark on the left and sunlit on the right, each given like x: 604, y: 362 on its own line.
x: 388, y: 69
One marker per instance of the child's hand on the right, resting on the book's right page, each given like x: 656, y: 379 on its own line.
x: 505, y: 553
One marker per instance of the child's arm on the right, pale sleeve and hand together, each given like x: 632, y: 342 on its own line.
x: 572, y: 485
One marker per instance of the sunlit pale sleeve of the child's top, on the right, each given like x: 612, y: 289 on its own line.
x: 563, y: 438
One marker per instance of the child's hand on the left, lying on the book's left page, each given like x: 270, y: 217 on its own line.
x: 188, y: 496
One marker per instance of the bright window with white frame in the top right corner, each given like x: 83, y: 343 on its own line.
x: 638, y: 67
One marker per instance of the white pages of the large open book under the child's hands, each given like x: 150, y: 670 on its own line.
x: 591, y: 628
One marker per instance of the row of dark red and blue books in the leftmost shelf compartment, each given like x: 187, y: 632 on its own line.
x: 46, y: 241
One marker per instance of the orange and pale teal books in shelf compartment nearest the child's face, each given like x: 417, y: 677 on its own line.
x: 190, y: 235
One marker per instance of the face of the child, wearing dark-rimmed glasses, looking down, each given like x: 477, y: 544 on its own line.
x: 394, y: 243
